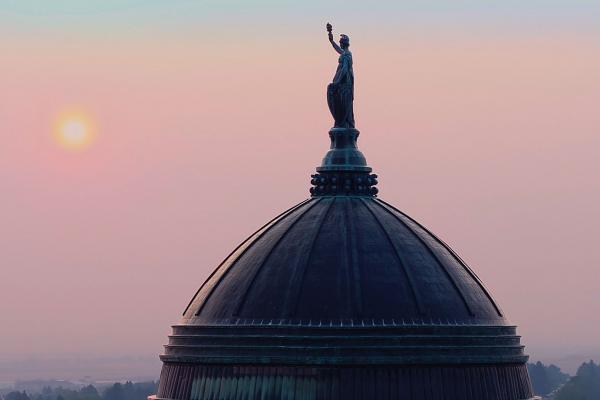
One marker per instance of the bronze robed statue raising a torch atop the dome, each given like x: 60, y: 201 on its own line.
x: 340, y: 93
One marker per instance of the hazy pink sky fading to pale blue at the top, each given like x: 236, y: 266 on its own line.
x: 480, y: 118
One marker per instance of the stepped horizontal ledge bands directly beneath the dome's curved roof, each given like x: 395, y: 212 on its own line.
x: 344, y: 345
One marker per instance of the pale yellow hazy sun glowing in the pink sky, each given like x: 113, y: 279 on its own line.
x: 74, y: 130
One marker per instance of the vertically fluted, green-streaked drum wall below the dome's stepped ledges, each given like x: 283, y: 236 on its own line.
x: 233, y: 382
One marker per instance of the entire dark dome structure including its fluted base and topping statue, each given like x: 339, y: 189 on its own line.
x: 343, y: 297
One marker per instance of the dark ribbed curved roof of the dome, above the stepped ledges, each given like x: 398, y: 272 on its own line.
x: 343, y: 260
